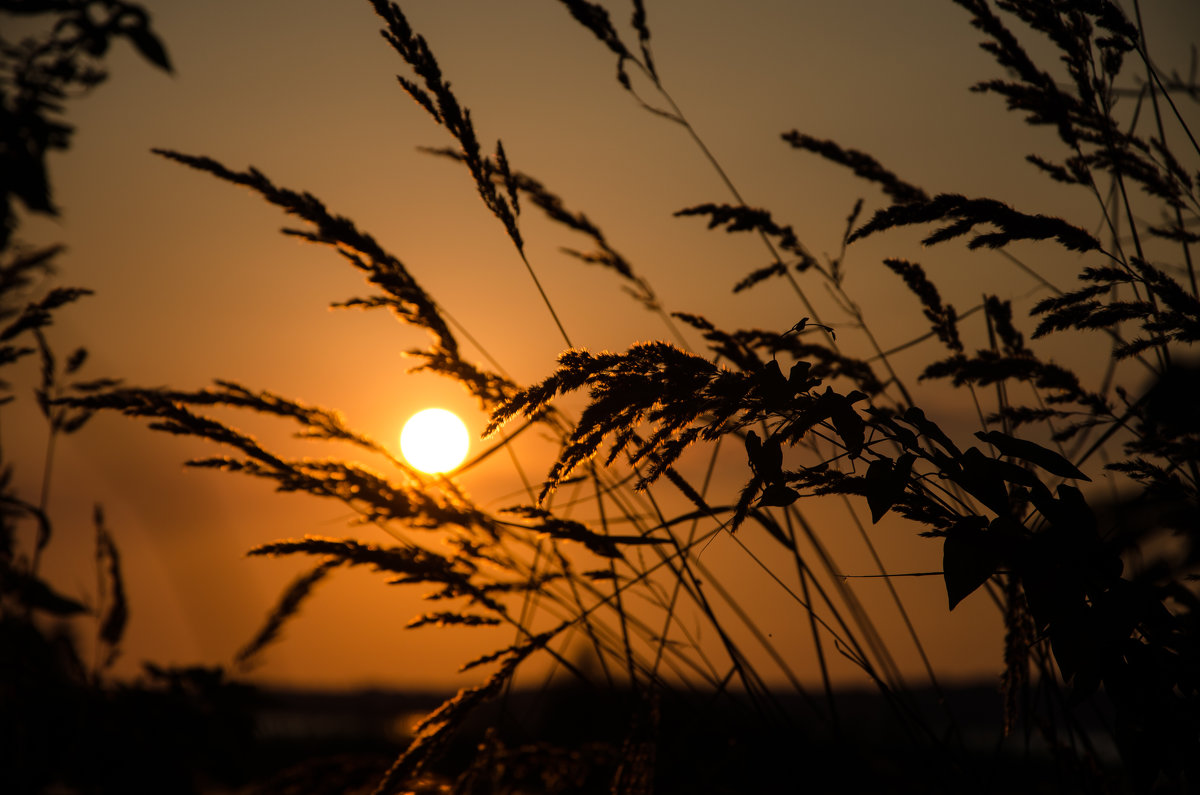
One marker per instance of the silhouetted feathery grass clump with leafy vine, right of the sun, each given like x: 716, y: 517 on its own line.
x: 1006, y: 505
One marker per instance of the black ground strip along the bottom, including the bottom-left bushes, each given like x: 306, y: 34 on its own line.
x: 188, y: 732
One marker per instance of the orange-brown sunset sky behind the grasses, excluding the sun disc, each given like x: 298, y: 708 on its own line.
x: 194, y: 282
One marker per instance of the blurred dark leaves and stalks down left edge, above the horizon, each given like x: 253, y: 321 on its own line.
x: 37, y: 77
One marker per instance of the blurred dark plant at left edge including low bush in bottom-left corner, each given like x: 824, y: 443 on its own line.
x: 64, y: 725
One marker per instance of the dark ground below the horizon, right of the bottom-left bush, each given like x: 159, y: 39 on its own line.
x: 572, y: 740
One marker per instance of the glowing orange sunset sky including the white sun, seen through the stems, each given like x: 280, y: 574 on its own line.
x: 193, y: 282
